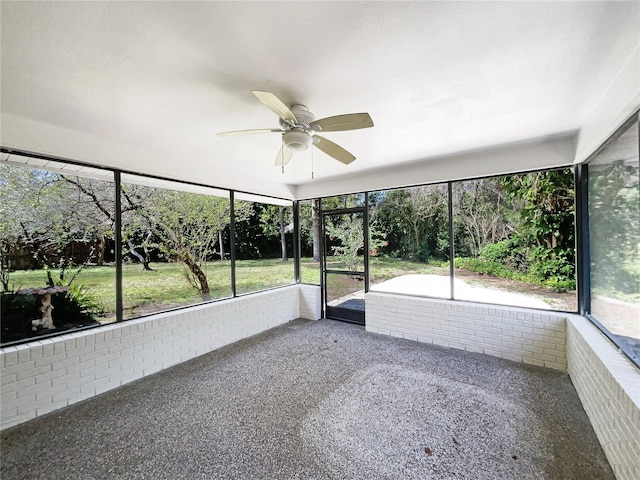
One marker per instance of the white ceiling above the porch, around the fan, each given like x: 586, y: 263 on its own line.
x: 144, y: 86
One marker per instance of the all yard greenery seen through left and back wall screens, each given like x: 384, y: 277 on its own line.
x: 59, y: 229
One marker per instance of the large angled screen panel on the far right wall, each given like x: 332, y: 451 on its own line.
x: 614, y: 238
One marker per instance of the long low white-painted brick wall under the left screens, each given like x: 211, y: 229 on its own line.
x: 49, y: 374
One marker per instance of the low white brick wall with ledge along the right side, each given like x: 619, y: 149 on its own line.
x: 609, y: 387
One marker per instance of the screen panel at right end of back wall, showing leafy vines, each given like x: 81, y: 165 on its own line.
x: 515, y: 240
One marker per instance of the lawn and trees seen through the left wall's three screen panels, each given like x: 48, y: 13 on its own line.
x: 59, y: 230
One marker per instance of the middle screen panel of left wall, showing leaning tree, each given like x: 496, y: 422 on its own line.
x: 176, y: 242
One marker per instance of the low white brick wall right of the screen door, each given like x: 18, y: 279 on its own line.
x: 522, y: 335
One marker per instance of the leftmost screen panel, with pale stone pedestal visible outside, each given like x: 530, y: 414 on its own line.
x: 57, y: 244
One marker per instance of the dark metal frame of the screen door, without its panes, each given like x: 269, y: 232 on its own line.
x: 341, y: 313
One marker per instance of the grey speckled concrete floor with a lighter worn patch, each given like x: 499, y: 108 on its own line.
x: 320, y: 400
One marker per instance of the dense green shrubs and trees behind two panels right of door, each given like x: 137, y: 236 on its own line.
x: 517, y: 227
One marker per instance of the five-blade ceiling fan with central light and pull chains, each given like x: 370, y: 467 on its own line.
x: 299, y: 129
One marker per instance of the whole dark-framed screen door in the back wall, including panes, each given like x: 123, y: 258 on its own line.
x: 344, y: 264
